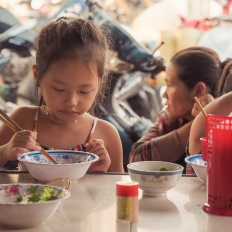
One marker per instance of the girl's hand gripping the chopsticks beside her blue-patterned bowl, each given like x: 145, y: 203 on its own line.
x: 22, y: 141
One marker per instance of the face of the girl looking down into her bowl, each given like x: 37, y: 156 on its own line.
x: 69, y: 88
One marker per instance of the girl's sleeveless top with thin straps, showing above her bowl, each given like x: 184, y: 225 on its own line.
x: 80, y: 147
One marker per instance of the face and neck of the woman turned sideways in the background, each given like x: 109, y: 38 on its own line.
x: 180, y: 99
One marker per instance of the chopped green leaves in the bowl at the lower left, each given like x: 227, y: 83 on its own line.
x: 34, y: 195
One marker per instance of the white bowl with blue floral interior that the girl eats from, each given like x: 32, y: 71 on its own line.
x: 71, y: 164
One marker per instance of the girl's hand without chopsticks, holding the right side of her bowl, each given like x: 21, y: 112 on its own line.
x: 97, y: 147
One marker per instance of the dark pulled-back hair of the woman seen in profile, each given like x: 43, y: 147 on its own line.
x: 198, y: 64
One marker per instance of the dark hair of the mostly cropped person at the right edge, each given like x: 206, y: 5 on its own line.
x: 224, y: 84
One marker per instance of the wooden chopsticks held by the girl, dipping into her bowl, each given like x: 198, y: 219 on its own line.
x: 15, y: 127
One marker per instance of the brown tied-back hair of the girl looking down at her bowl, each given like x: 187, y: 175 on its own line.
x: 72, y: 38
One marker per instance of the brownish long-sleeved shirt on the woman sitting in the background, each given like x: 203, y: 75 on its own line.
x: 160, y: 142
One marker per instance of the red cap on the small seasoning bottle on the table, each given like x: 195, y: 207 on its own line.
x: 127, y: 189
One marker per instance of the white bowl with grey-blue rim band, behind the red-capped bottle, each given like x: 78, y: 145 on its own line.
x: 151, y: 180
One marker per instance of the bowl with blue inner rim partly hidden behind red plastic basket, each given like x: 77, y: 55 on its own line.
x: 198, y: 165
